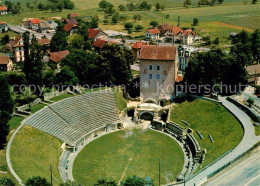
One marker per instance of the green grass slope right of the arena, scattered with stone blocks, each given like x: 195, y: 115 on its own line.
x: 209, y: 118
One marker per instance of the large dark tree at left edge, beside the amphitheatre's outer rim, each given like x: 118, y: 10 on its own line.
x: 6, y: 109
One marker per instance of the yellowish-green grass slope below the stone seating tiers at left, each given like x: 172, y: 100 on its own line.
x: 33, y: 151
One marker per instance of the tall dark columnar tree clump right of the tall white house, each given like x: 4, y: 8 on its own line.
x: 33, y: 65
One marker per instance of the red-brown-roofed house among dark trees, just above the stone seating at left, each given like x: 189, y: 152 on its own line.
x: 56, y: 58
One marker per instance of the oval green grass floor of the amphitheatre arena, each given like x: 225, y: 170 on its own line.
x: 114, y: 156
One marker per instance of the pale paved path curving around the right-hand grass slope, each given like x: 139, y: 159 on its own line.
x: 247, y: 142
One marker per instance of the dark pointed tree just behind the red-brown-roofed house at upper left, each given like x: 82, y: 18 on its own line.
x: 59, y: 39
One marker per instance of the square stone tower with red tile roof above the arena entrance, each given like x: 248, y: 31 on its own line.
x: 158, y: 71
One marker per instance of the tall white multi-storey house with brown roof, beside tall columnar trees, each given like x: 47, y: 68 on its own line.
x: 17, y: 48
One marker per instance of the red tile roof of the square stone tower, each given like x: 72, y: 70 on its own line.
x: 156, y: 52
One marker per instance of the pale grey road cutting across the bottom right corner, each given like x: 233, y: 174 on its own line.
x: 245, y: 173
